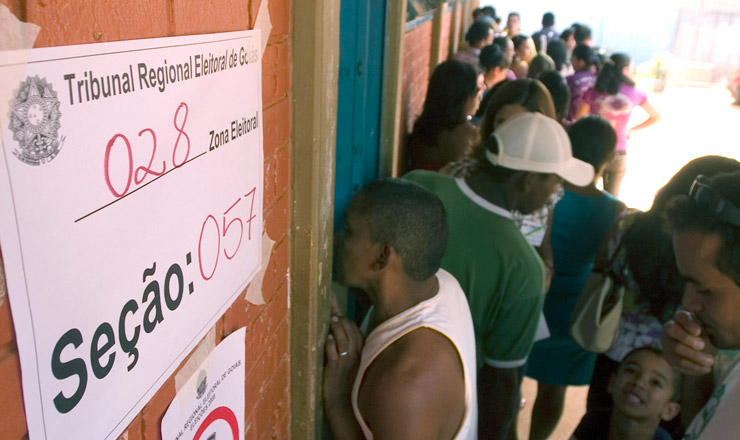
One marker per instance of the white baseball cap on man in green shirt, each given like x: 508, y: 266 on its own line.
x: 533, y: 142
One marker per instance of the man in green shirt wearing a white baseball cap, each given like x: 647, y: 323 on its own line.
x: 519, y: 167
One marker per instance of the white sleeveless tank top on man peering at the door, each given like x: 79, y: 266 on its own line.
x: 447, y: 313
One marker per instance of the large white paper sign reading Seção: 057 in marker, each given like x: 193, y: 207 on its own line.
x: 130, y: 216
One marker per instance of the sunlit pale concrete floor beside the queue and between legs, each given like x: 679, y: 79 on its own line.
x: 695, y: 122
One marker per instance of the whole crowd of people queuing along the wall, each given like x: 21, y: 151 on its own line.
x: 474, y: 261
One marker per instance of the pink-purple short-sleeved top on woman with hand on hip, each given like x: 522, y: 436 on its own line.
x: 616, y: 109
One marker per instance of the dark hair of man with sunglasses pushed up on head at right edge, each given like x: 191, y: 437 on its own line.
x: 684, y: 213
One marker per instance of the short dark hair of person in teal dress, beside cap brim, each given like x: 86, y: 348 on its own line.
x: 593, y: 140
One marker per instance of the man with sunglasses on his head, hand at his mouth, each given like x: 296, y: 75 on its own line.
x: 706, y: 240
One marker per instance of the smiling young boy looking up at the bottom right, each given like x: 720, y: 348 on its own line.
x: 645, y: 391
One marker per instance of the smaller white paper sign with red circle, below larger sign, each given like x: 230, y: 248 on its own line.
x: 210, y: 406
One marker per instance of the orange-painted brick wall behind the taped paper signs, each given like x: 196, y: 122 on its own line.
x: 267, y: 341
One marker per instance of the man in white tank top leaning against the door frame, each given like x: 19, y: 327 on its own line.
x: 414, y: 375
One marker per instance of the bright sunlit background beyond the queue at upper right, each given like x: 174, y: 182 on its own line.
x: 695, y: 42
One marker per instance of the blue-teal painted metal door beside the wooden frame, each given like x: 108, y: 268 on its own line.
x: 361, y: 43
